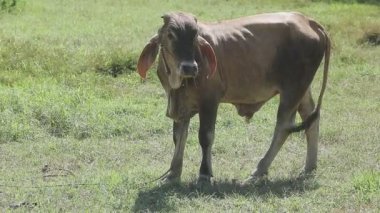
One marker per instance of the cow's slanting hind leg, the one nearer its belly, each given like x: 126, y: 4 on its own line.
x: 285, y: 119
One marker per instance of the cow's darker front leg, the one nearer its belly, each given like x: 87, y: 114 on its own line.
x: 207, y: 118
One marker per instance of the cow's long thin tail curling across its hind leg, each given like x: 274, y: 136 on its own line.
x: 315, y: 114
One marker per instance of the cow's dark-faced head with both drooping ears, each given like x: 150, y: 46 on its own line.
x: 181, y: 48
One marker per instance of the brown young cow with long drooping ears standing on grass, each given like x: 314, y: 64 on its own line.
x: 244, y: 62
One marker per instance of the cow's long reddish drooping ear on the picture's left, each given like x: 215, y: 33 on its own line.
x: 147, y: 56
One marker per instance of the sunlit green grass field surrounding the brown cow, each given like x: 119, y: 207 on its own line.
x: 79, y: 131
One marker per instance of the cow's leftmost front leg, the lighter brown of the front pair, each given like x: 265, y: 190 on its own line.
x: 180, y: 130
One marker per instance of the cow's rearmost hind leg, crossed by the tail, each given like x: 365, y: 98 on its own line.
x: 305, y: 108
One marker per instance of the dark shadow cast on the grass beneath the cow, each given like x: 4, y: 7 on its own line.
x: 162, y: 198
